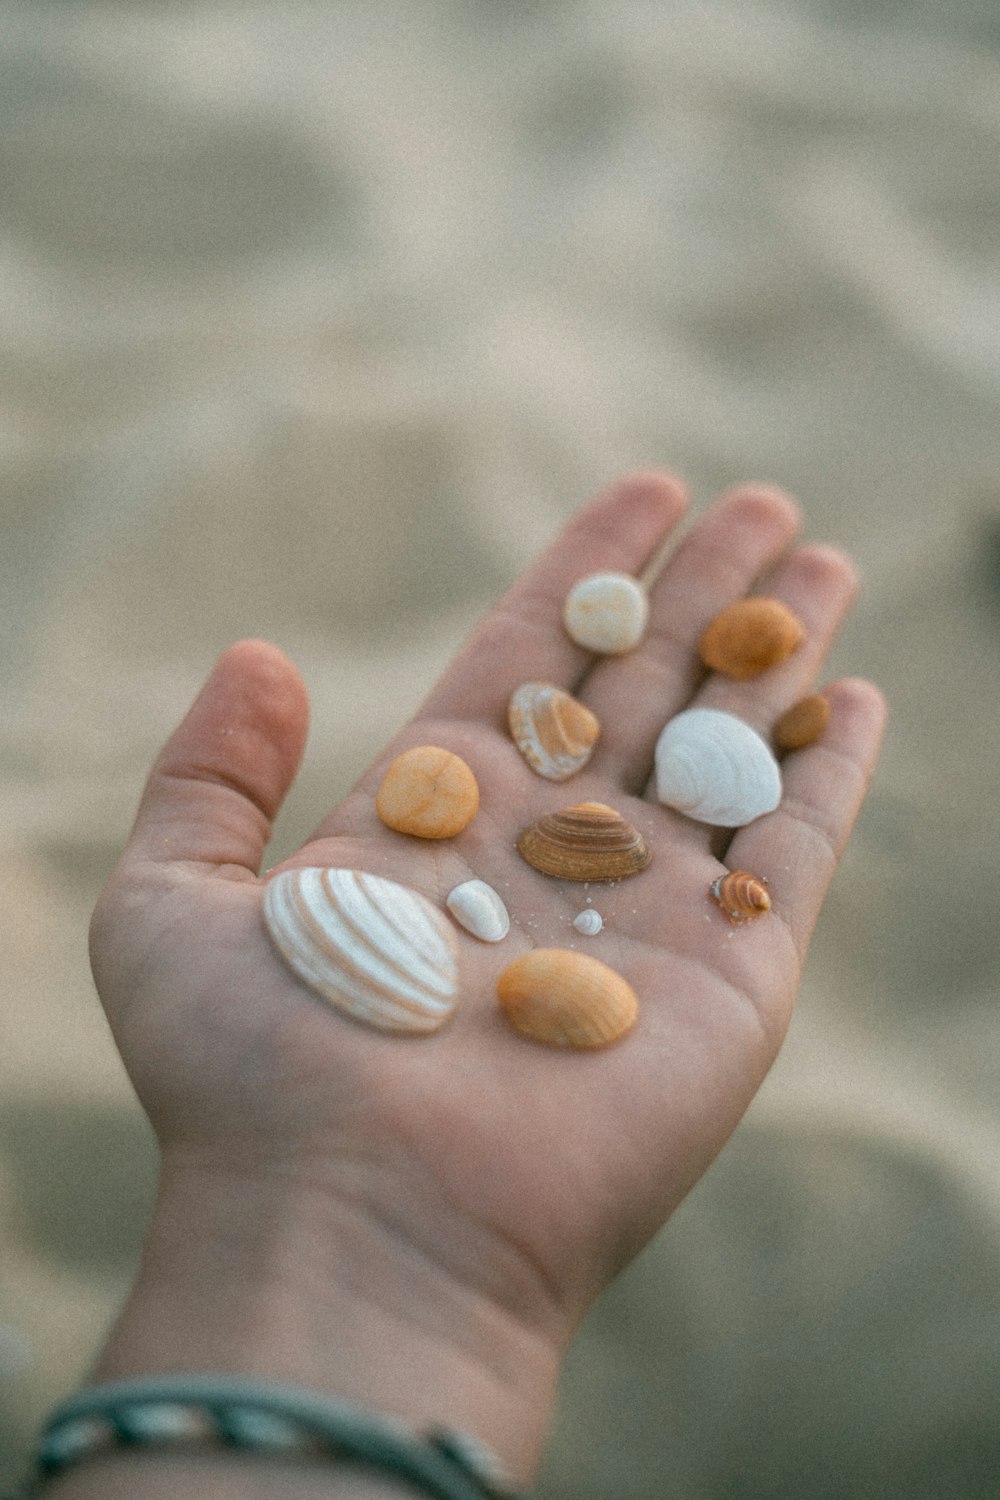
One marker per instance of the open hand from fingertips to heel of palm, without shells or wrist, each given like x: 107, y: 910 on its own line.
x: 527, y: 1166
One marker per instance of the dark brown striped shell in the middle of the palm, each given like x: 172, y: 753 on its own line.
x: 585, y: 842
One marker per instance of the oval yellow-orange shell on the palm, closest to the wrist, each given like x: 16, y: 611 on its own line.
x: 563, y: 998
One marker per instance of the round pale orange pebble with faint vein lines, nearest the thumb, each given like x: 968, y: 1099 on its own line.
x: 428, y: 793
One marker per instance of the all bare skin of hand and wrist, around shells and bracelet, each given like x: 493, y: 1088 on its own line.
x: 419, y: 1225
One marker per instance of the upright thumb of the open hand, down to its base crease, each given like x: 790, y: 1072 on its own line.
x: 223, y: 776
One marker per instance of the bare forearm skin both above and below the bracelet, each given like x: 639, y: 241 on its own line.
x: 289, y: 1288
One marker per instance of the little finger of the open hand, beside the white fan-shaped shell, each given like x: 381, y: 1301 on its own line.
x: 800, y: 847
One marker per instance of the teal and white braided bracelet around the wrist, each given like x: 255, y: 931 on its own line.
x: 256, y: 1417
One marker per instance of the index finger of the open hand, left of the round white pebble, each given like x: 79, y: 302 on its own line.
x: 524, y: 638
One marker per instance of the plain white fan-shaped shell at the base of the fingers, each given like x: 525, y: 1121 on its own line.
x: 716, y: 769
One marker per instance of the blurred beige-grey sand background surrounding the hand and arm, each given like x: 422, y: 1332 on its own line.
x: 317, y: 322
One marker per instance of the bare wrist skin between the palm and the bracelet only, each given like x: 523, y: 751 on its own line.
x: 283, y: 1279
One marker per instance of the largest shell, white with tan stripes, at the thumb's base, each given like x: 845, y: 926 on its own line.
x: 368, y: 946
